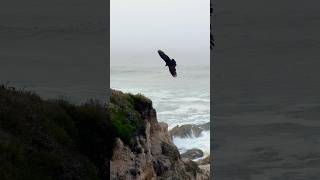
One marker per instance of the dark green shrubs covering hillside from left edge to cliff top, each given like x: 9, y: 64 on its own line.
x: 54, y: 139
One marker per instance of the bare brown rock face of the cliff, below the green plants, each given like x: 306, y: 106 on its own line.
x: 152, y: 155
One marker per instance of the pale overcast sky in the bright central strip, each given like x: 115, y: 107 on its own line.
x: 140, y: 27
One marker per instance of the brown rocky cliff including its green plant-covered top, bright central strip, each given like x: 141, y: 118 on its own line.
x: 150, y: 153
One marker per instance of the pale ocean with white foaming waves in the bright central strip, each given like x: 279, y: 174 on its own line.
x: 181, y: 100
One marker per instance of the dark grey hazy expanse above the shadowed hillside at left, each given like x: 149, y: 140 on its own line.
x: 54, y: 47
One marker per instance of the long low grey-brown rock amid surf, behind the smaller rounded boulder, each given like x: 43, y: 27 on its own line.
x: 189, y: 130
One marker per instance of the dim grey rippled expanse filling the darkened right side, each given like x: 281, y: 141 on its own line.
x: 266, y: 90
